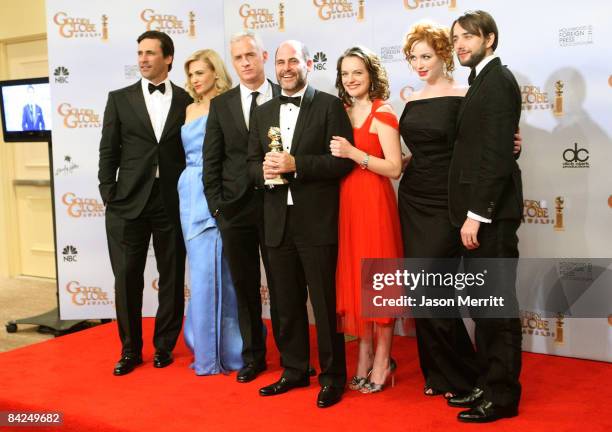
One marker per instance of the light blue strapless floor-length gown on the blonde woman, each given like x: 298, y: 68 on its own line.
x: 211, y: 328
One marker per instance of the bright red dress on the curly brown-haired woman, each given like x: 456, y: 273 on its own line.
x: 369, y: 226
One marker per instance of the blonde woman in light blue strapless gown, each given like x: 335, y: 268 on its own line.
x: 211, y: 327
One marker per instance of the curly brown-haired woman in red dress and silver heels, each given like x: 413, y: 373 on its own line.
x: 369, y: 224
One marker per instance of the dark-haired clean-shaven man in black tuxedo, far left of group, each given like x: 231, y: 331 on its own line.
x: 141, y: 138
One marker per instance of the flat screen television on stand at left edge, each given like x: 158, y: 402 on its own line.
x: 26, y: 109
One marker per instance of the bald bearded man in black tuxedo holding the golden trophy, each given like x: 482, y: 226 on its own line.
x: 301, y: 219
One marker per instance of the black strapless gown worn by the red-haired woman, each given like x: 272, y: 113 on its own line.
x: 446, y: 354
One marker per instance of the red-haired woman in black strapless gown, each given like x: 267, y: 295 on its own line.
x: 427, y: 125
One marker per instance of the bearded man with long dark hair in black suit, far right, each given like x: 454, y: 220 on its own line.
x: 486, y: 201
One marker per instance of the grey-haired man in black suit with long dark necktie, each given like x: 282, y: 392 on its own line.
x: 236, y: 205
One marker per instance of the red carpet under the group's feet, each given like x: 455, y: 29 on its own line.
x: 73, y: 375
